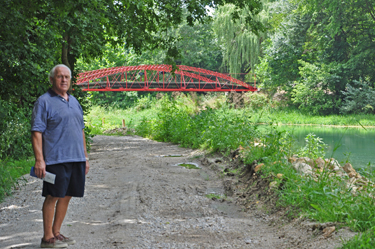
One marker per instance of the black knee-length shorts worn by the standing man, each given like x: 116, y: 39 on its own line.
x: 70, y: 180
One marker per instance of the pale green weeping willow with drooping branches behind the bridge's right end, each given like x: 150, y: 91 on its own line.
x: 240, y: 40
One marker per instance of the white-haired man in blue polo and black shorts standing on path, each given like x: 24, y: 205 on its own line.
x: 59, y: 147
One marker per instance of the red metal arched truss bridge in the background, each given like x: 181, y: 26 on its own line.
x: 160, y: 78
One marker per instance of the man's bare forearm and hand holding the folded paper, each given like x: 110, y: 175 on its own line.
x: 40, y: 164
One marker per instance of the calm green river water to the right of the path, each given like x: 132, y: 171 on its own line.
x: 355, y: 144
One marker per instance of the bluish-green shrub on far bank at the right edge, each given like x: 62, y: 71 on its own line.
x: 359, y: 98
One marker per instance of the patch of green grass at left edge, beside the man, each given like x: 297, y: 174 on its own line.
x: 10, y: 175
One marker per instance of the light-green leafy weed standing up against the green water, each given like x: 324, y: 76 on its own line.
x: 315, y: 147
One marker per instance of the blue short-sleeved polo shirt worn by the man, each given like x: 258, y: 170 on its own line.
x: 61, y: 124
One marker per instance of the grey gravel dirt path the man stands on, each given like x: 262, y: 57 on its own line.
x: 135, y: 198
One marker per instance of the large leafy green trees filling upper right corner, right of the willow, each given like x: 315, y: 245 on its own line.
x: 314, y: 52
